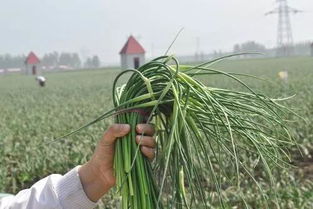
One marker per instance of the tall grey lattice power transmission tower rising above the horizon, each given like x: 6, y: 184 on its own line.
x: 284, y: 31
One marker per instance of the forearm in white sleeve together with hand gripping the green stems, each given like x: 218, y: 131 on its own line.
x: 83, y: 186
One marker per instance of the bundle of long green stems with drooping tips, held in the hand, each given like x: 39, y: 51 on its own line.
x: 201, y: 133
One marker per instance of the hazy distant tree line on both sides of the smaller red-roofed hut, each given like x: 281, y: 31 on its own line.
x: 51, y: 60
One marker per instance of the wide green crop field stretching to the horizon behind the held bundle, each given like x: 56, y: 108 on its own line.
x: 31, y: 117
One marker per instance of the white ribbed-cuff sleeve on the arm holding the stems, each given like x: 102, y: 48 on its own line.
x: 53, y: 192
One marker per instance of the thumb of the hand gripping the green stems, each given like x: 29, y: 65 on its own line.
x: 115, y: 131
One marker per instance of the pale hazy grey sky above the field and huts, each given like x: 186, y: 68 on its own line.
x: 101, y: 27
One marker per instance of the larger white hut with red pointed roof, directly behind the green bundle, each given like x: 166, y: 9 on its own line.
x: 132, y: 54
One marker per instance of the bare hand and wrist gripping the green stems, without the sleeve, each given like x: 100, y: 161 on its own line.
x: 97, y: 175
